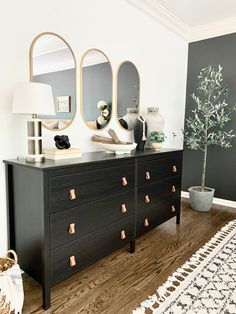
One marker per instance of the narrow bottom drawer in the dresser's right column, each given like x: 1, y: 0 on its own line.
x: 156, y: 215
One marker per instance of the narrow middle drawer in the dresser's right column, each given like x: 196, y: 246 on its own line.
x: 153, y: 193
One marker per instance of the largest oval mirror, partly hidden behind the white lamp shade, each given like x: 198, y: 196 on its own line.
x: 52, y: 62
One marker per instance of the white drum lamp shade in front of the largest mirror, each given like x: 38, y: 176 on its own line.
x: 33, y: 98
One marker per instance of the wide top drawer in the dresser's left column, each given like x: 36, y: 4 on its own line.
x: 69, y: 191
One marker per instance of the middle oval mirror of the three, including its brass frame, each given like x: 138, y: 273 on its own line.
x: 96, y: 89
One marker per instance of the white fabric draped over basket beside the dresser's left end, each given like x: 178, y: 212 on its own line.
x: 11, y: 289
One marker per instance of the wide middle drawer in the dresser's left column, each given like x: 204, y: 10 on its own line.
x: 73, y: 224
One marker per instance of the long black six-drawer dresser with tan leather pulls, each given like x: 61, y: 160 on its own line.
x: 65, y: 215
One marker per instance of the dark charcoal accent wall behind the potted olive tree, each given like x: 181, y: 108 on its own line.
x: 221, y: 163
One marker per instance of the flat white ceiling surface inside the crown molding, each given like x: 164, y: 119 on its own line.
x: 199, y: 12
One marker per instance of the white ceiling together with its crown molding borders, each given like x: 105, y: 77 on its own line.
x: 192, y: 19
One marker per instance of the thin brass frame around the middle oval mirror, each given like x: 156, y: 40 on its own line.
x: 81, y: 89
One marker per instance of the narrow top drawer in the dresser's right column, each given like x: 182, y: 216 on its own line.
x: 149, y: 172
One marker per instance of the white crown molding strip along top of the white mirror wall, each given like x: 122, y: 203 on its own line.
x: 165, y: 17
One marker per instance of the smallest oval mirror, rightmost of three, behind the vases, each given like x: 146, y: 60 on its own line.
x: 128, y: 86
